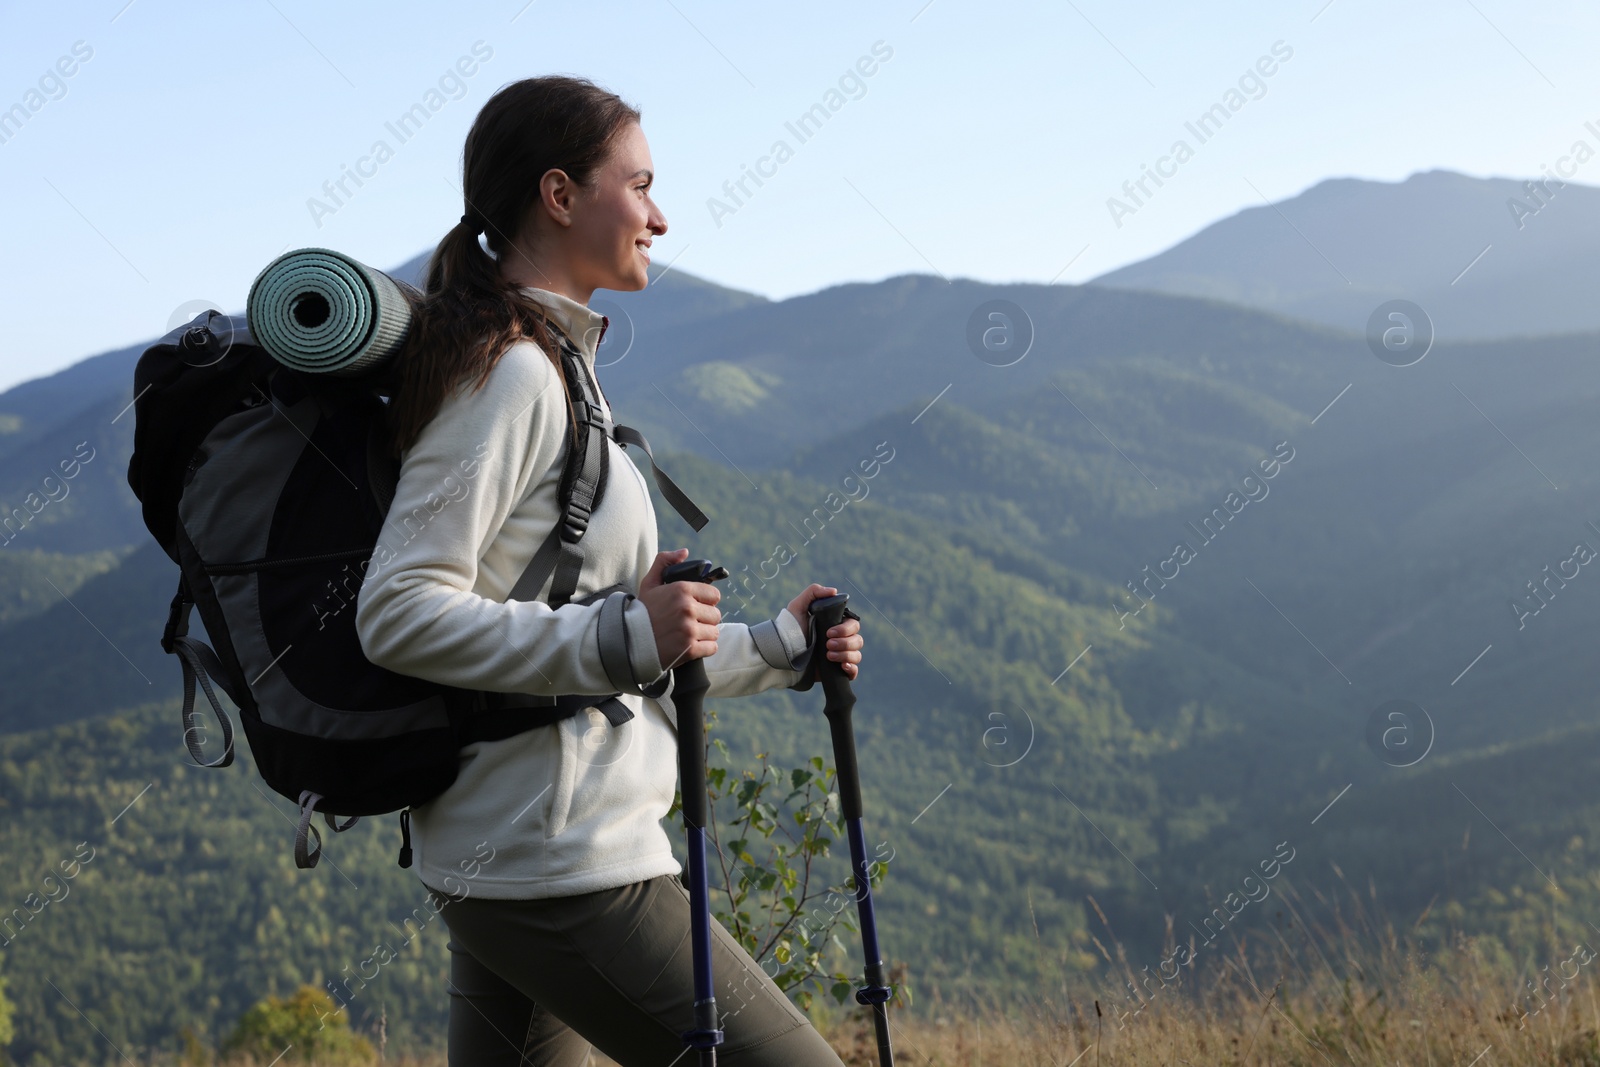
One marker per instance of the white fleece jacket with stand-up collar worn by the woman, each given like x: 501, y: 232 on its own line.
x: 578, y: 805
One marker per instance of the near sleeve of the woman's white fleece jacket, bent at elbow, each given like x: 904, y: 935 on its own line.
x: 418, y: 612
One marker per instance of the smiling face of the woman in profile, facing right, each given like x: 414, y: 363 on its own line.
x: 617, y: 220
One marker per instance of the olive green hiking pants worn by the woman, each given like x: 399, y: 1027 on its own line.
x: 537, y: 983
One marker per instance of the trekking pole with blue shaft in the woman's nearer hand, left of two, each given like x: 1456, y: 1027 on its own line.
x: 689, y: 700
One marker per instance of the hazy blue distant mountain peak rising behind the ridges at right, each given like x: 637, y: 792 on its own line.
x: 1476, y: 254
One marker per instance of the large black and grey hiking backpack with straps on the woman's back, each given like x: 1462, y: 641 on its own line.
x: 270, y: 489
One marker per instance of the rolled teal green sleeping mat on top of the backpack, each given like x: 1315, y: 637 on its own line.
x: 322, y: 313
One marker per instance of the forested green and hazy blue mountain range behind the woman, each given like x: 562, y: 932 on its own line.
x: 1140, y: 604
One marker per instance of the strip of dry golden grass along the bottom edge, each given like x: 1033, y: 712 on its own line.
x: 1417, y: 1018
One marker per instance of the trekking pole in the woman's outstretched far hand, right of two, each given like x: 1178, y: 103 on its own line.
x: 841, y: 700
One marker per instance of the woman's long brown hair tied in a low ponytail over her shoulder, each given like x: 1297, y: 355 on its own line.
x: 468, y: 316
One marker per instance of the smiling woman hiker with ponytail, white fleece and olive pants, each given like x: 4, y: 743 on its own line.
x: 570, y: 927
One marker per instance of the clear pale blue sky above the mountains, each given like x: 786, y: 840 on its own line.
x: 178, y: 159
